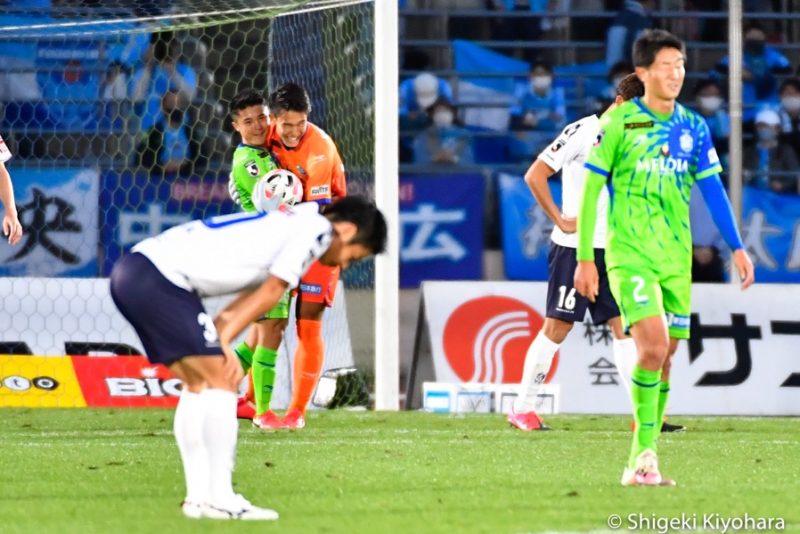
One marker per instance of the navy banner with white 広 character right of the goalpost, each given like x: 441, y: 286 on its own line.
x: 441, y: 228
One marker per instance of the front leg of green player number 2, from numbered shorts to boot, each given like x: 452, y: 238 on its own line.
x: 638, y: 295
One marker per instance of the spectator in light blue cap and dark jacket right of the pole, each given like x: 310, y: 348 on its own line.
x: 771, y: 163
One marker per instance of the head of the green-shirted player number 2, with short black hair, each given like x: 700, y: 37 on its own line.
x: 659, y: 60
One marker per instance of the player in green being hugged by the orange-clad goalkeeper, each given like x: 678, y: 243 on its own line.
x: 251, y: 161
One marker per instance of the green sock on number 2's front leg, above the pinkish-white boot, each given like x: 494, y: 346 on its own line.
x: 644, y: 389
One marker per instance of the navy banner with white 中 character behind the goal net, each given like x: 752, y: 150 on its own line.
x: 136, y: 206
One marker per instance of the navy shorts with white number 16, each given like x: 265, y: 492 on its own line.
x: 563, y: 301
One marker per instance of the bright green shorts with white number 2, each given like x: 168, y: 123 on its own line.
x: 640, y: 293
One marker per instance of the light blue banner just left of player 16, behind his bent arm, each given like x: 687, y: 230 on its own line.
x: 525, y: 228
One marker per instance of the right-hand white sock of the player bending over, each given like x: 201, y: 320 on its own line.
x: 219, y: 435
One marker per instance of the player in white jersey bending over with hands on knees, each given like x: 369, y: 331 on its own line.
x: 158, y: 288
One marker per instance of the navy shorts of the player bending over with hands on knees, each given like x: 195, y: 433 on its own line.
x: 170, y: 321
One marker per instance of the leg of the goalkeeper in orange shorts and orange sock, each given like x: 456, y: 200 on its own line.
x: 317, y: 291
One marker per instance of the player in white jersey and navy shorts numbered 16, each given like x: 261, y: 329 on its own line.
x: 564, y: 305
